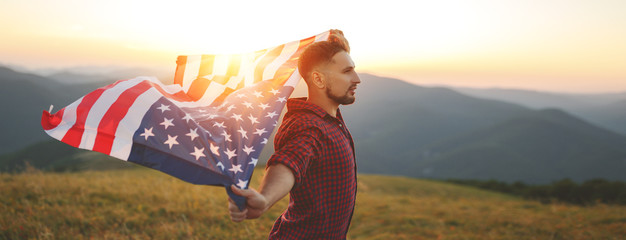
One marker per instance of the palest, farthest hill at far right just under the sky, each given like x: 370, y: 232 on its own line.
x: 606, y: 110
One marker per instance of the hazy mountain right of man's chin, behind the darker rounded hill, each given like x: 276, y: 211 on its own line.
x: 392, y: 118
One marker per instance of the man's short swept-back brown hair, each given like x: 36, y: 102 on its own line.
x: 321, y: 52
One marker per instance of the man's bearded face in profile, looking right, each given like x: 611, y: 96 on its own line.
x: 341, y: 79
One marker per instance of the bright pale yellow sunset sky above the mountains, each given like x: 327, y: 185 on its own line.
x: 574, y: 46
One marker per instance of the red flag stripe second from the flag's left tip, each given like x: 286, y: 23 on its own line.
x: 75, y: 134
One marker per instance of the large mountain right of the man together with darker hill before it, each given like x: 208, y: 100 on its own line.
x: 410, y: 130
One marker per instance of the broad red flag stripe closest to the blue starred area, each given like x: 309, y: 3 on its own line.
x: 114, y: 115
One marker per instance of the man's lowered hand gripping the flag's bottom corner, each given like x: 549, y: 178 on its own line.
x: 256, y: 205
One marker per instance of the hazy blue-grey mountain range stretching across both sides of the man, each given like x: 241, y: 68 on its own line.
x: 399, y: 129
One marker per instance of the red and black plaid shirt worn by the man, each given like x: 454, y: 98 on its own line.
x: 319, y: 150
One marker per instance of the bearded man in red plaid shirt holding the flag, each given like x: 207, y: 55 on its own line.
x: 314, y: 159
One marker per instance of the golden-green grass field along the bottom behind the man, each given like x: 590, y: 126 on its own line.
x: 145, y: 204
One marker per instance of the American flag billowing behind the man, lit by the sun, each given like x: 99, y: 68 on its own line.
x: 209, y: 127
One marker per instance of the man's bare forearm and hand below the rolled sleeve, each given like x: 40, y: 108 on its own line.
x: 276, y: 183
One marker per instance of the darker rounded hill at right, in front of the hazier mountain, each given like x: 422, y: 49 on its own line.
x: 538, y: 147
